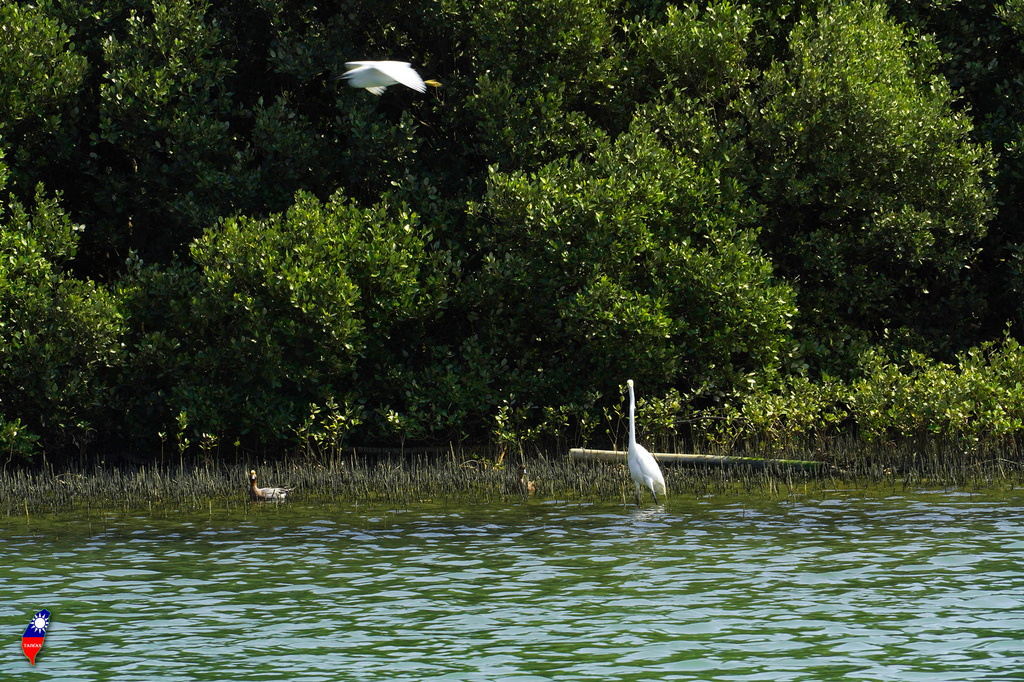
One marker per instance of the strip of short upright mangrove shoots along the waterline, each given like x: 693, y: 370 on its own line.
x: 482, y: 479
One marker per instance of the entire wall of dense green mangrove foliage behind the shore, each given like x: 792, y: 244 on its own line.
x: 788, y: 221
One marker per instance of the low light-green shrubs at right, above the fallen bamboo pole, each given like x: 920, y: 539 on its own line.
x: 977, y: 399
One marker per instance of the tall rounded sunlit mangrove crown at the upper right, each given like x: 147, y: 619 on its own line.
x: 876, y: 198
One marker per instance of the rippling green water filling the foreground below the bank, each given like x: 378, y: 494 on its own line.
x: 926, y: 587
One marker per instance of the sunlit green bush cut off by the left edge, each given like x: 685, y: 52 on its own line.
x: 58, y: 332
